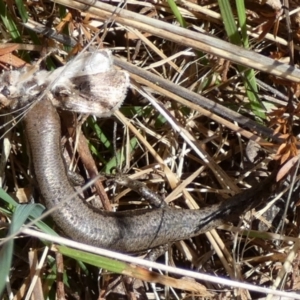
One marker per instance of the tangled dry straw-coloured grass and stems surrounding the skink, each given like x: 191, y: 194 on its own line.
x: 185, y: 130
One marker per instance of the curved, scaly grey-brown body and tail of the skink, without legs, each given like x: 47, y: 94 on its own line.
x: 129, y: 231
